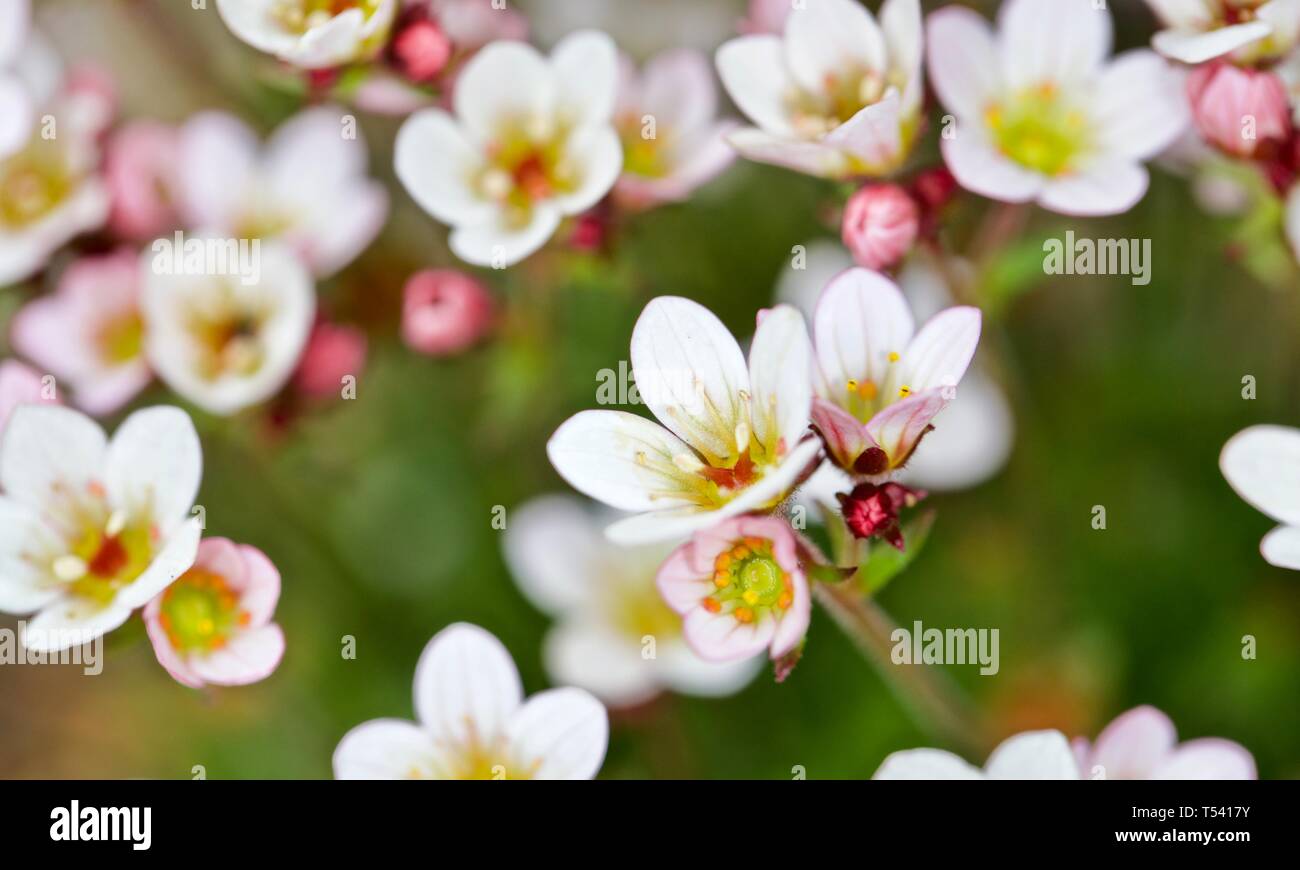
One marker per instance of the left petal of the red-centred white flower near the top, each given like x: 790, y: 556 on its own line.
x: 436, y: 163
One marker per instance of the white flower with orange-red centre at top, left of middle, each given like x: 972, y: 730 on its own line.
x: 515, y: 161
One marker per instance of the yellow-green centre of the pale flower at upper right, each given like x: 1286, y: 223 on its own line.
x: 1039, y: 129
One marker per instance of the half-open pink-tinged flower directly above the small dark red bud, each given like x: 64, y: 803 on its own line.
x: 879, y: 384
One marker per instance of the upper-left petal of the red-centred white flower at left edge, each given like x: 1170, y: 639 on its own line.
x: 47, y: 448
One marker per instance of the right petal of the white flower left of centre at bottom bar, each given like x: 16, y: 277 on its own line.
x: 561, y: 734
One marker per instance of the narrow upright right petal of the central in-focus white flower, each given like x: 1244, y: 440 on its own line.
x: 781, y: 375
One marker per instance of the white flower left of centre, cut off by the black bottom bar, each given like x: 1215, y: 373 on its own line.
x: 474, y: 722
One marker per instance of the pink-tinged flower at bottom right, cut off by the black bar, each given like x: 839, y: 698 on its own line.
x: 1143, y: 745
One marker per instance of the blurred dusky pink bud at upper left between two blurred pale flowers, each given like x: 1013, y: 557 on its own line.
x: 141, y: 171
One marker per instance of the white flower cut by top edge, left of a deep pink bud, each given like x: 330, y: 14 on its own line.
x: 313, y: 34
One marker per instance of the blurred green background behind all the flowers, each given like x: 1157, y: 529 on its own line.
x: 379, y: 512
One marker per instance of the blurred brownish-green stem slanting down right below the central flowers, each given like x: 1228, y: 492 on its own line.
x: 931, y: 699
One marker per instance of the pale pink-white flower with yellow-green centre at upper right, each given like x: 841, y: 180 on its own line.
x: 1042, y: 115
